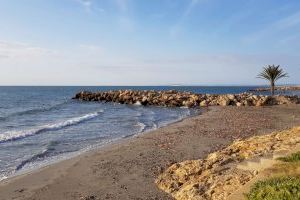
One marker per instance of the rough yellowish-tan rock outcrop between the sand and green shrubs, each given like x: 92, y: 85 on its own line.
x: 217, y: 176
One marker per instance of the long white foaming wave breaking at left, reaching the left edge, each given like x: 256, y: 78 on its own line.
x: 15, y: 135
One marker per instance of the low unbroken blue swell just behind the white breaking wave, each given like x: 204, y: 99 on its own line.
x: 34, y: 111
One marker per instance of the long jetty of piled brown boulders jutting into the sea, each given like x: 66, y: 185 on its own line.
x: 174, y: 98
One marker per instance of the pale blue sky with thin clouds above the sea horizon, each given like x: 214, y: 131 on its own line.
x: 147, y: 42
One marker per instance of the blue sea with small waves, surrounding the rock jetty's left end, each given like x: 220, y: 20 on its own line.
x: 39, y: 125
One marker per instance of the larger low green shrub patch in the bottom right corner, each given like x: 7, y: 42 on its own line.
x: 282, y: 188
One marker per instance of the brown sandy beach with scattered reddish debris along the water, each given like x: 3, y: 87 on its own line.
x: 128, y: 168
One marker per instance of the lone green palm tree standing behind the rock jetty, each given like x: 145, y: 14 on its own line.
x: 272, y: 73
